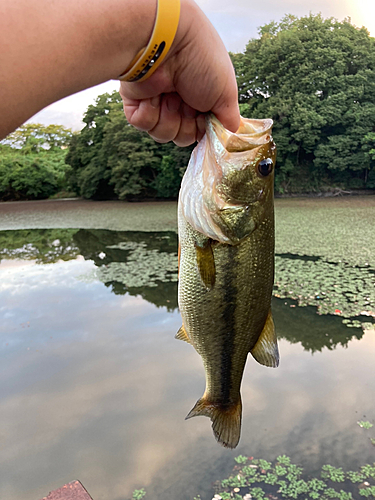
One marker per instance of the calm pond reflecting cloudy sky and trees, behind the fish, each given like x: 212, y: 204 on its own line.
x: 95, y: 387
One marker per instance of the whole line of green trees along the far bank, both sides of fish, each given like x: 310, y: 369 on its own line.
x: 314, y: 77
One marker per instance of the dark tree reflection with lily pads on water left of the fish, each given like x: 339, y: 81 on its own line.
x: 136, y: 263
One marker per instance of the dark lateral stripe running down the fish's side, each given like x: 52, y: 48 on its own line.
x: 230, y: 292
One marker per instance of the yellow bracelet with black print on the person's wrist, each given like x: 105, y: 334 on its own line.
x: 148, y: 59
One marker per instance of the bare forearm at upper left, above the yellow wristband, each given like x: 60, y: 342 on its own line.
x: 51, y: 49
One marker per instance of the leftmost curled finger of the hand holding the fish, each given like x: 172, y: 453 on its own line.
x: 144, y: 114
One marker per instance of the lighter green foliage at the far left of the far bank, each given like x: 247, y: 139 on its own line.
x: 32, y: 162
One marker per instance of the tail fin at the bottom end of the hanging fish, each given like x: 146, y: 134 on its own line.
x: 226, y: 422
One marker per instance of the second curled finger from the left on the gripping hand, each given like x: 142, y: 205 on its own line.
x: 169, y: 119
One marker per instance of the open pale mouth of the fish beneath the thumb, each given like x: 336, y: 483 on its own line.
x: 251, y: 134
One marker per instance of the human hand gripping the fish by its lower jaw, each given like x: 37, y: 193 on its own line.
x: 196, y: 76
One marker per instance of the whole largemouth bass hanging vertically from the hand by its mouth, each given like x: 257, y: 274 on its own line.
x: 226, y: 263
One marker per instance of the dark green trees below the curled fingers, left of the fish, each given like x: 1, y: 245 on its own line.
x: 111, y: 159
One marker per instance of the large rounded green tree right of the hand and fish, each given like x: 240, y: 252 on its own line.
x: 315, y: 77
